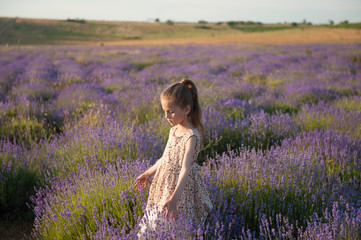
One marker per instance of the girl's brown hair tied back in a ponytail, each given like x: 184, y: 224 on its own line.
x: 182, y: 94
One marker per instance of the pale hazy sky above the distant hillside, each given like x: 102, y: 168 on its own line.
x: 265, y: 11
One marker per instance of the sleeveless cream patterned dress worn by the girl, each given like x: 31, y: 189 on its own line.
x: 194, y: 202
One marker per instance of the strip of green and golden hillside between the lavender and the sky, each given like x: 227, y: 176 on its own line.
x: 38, y: 32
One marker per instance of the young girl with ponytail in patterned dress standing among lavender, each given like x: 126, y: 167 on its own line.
x: 177, y: 187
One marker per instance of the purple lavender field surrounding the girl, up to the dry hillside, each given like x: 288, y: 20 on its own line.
x: 281, y: 155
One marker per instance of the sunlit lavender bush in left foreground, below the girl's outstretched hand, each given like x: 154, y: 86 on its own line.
x: 102, y: 196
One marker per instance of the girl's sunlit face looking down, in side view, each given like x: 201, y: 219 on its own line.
x: 173, y: 113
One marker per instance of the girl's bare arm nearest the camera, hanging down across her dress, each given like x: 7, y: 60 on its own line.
x: 171, y: 204
